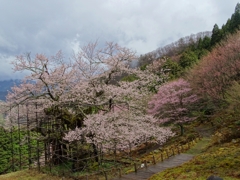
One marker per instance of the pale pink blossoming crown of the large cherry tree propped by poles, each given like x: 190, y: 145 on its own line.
x: 84, y: 91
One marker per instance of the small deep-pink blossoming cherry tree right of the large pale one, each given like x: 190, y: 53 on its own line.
x: 172, y: 103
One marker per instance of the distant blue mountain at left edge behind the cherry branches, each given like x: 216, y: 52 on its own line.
x: 5, y: 86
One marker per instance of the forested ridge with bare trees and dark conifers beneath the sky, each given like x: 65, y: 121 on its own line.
x: 181, y: 55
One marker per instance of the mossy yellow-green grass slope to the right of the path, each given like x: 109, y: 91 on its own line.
x: 219, y: 159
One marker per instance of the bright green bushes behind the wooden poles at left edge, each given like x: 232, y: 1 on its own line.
x: 14, y: 150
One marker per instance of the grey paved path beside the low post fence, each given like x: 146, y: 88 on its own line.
x: 146, y: 173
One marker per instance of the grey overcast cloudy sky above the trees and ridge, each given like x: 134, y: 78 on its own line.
x: 39, y: 26
